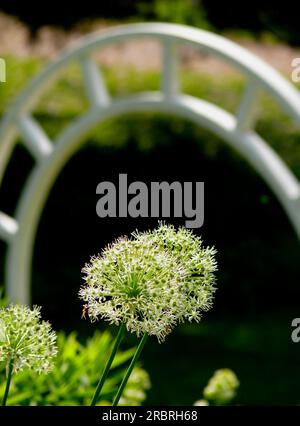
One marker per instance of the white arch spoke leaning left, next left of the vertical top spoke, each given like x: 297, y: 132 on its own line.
x: 94, y: 83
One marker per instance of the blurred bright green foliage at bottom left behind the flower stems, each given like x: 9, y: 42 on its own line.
x: 75, y: 375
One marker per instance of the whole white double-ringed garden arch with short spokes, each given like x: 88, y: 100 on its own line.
x: 19, y: 232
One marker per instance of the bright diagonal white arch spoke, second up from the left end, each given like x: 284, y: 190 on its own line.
x: 34, y: 137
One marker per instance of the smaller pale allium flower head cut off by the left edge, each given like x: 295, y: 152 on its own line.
x: 26, y: 340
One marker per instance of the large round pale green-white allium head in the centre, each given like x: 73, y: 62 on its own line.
x: 150, y: 282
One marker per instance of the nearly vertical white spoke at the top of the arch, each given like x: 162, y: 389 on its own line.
x: 169, y: 72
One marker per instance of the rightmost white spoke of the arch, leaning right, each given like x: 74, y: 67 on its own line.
x: 247, y: 109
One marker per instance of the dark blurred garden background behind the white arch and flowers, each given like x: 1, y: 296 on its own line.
x: 249, y: 328
